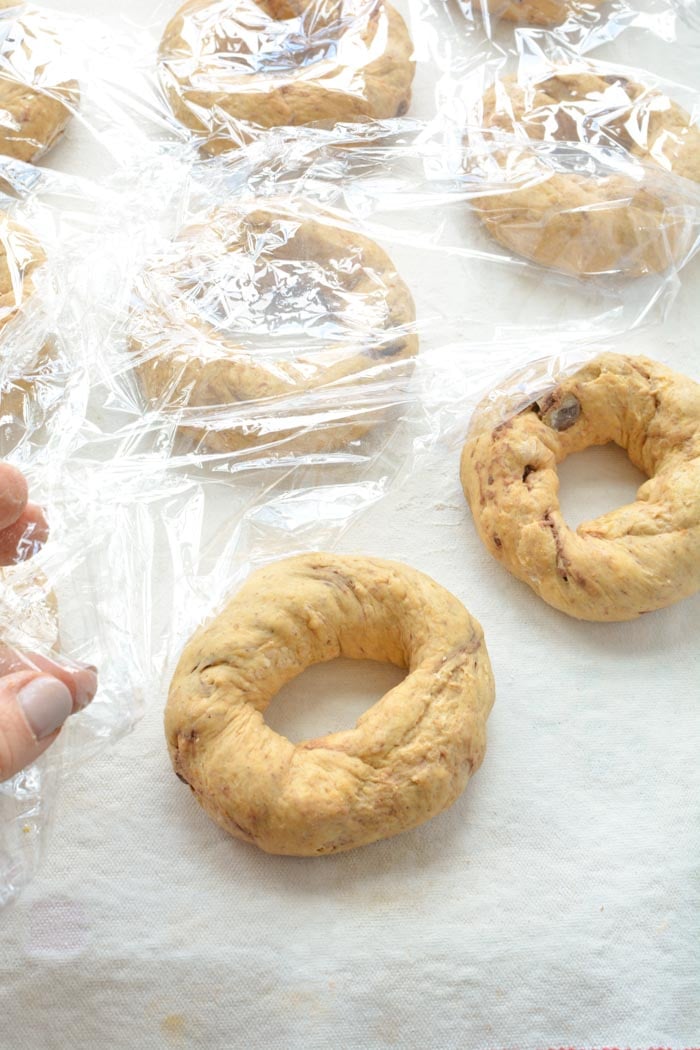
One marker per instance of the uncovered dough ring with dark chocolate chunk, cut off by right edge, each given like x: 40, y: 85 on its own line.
x: 640, y: 558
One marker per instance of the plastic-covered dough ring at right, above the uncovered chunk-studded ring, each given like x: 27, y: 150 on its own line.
x: 584, y: 224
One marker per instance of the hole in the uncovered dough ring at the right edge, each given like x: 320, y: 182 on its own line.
x: 597, y: 481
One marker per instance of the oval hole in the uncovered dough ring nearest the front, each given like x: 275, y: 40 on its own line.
x: 330, y: 698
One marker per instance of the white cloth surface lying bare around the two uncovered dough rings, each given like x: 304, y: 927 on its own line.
x: 557, y: 904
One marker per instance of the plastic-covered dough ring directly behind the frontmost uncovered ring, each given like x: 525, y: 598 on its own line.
x: 260, y: 307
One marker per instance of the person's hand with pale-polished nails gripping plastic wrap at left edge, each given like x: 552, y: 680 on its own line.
x: 37, y: 695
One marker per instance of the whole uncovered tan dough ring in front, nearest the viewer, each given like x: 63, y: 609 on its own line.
x: 408, y: 759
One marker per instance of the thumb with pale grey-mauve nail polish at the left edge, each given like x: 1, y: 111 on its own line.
x: 33, y: 708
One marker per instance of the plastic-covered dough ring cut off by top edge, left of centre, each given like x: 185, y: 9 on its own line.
x: 367, y: 74
